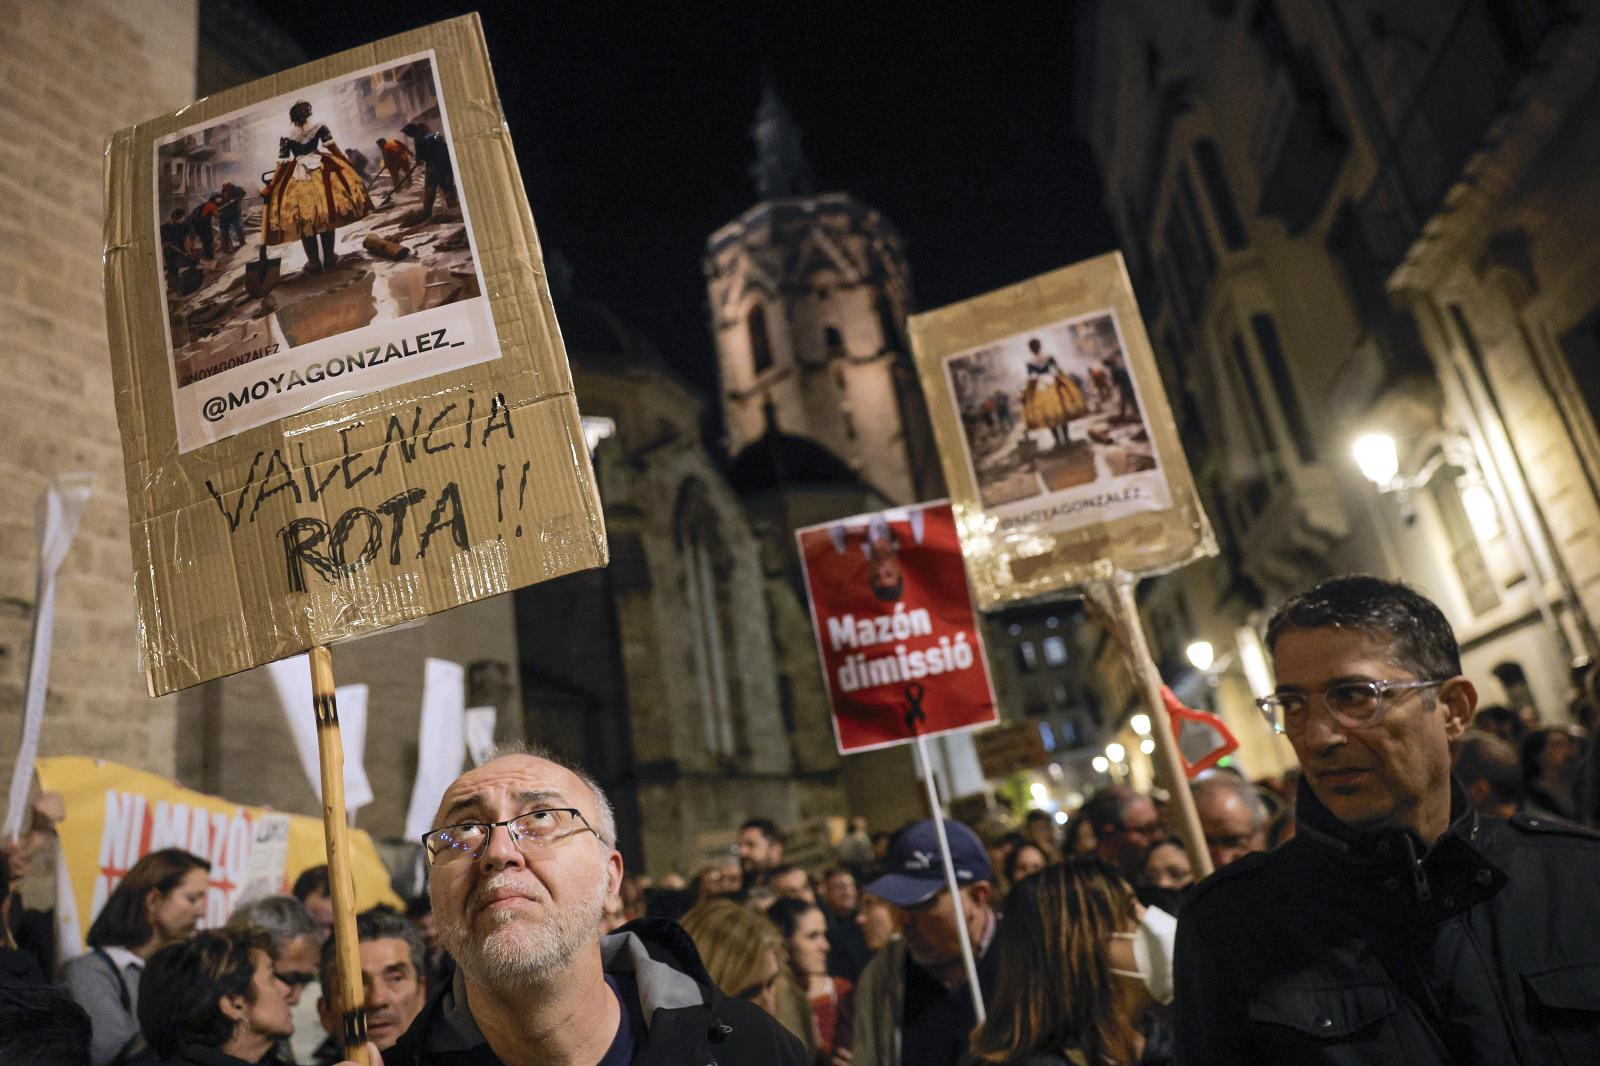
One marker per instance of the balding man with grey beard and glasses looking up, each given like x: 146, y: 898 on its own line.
x: 522, y: 860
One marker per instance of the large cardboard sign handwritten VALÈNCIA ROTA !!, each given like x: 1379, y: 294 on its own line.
x: 343, y: 391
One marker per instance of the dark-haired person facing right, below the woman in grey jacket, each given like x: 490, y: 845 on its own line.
x: 215, y: 1000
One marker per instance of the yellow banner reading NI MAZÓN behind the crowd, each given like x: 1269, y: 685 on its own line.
x: 118, y: 814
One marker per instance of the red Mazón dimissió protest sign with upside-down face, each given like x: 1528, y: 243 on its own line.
x: 895, y: 627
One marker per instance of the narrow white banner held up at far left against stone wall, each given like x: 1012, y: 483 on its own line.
x: 57, y: 516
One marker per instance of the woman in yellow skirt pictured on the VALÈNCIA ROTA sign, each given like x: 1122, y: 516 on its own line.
x: 313, y: 193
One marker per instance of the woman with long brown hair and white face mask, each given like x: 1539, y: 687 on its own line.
x: 1071, y: 988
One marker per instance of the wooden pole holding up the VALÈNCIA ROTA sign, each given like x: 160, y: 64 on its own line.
x: 350, y: 996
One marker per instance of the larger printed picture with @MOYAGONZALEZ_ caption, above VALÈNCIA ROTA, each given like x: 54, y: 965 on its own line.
x: 316, y: 247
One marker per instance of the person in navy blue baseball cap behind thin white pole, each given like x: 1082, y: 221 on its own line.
x: 913, y: 1004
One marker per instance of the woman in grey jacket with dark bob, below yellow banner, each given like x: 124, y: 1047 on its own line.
x: 159, y: 902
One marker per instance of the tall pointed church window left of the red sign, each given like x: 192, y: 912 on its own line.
x: 706, y: 571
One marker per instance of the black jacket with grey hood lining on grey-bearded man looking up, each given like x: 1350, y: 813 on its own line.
x: 687, y: 1020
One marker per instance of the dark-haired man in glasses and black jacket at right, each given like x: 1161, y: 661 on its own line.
x: 1399, y: 924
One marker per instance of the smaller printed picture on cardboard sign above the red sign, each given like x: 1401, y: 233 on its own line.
x: 1052, y: 425
